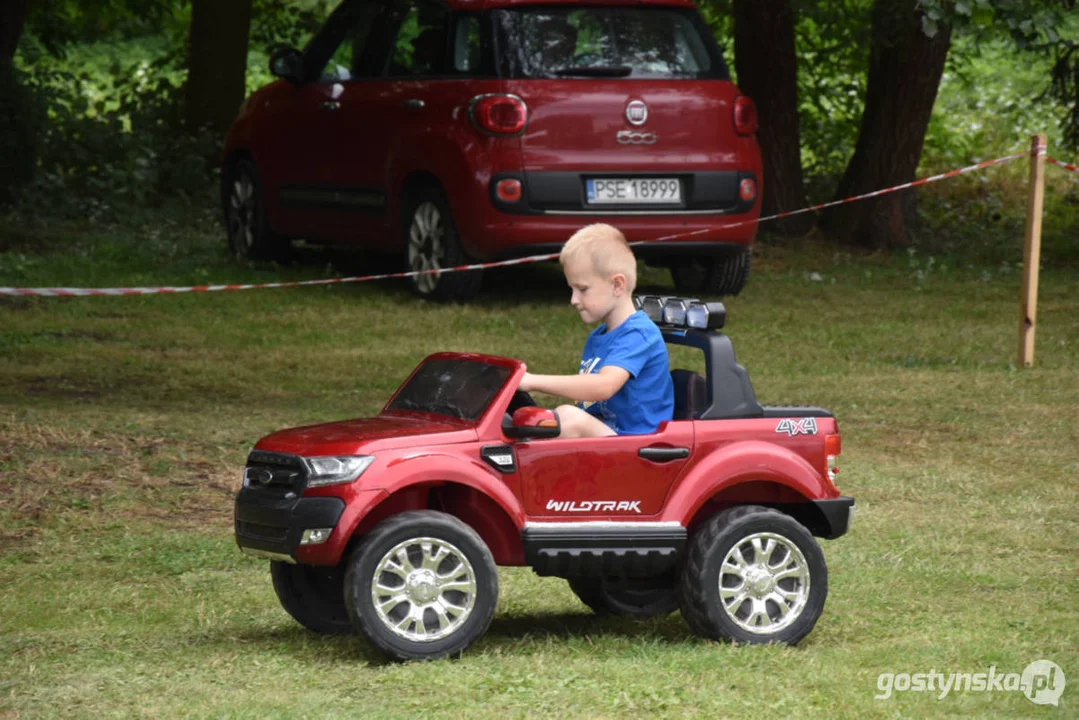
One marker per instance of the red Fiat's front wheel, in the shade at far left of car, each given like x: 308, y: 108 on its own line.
x: 251, y: 237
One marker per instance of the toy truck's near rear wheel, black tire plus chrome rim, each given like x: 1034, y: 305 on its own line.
x: 754, y: 576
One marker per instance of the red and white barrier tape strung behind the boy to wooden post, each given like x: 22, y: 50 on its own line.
x: 78, y: 292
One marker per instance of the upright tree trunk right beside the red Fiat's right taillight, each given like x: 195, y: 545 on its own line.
x: 768, y: 73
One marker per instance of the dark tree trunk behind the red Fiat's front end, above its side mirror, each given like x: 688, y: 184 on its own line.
x: 217, y: 63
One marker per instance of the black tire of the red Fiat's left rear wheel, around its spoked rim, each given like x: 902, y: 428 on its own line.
x: 447, y: 287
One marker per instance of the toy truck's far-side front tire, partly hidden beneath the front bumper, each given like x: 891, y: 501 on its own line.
x: 315, y: 596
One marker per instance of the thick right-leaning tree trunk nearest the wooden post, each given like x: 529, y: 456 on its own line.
x: 906, y: 69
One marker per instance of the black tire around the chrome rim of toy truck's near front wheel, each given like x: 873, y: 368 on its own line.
x: 401, y: 528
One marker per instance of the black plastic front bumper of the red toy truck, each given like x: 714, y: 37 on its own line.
x: 271, y: 525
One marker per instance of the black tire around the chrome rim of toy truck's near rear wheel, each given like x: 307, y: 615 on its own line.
x: 700, y: 589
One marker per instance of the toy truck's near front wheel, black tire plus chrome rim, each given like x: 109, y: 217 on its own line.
x: 421, y: 587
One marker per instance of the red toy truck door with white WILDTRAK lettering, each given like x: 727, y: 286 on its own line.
x: 623, y: 477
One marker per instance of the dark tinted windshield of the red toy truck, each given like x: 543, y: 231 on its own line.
x: 457, y: 388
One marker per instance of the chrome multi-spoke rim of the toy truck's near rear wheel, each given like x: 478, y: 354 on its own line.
x: 764, y: 583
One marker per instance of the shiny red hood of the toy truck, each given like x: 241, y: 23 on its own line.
x: 366, y: 436
